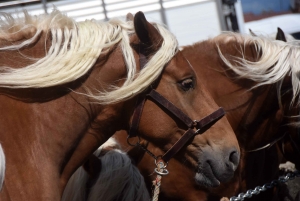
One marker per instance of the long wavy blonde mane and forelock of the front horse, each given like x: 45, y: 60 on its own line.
x: 74, y: 50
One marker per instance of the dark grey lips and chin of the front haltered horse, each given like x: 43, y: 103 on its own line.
x: 206, y: 177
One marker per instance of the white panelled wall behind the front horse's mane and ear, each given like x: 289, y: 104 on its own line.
x: 189, y: 20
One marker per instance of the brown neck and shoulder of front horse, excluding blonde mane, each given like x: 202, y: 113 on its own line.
x: 44, y: 138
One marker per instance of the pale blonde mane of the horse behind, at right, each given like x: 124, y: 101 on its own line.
x: 276, y: 60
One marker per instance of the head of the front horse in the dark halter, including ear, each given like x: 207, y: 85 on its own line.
x: 213, y: 159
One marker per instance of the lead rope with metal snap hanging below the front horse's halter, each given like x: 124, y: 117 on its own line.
x: 160, y: 171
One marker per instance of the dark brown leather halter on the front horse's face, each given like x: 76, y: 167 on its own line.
x: 194, y: 127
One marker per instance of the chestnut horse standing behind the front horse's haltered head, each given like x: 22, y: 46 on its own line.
x: 260, y: 114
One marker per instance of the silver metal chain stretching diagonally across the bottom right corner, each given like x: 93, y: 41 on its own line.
x: 272, y: 184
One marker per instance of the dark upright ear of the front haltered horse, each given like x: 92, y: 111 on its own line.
x: 146, y: 32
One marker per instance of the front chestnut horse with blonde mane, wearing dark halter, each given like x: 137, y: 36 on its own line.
x: 67, y: 86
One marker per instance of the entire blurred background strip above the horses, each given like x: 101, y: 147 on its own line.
x: 190, y: 20
